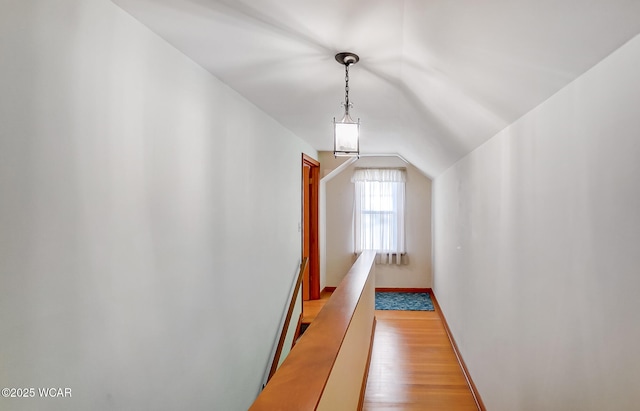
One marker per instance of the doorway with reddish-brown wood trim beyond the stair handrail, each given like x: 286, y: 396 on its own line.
x: 310, y: 241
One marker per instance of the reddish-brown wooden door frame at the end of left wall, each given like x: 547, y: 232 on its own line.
x: 314, y: 234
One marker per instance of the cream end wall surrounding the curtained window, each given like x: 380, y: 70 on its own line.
x: 339, y: 225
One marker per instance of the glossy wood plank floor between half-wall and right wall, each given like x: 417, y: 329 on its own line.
x: 413, y: 366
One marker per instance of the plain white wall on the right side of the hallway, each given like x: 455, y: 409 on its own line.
x: 537, y: 249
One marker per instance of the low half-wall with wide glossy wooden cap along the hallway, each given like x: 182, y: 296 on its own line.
x: 327, y: 368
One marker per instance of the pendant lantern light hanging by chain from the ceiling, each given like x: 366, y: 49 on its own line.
x: 346, y: 132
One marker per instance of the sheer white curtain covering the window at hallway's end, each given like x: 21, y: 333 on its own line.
x: 379, y: 212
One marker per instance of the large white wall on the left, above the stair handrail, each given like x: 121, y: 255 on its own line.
x: 148, y: 218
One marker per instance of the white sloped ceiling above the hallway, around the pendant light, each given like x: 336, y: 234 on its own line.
x: 436, y: 78
